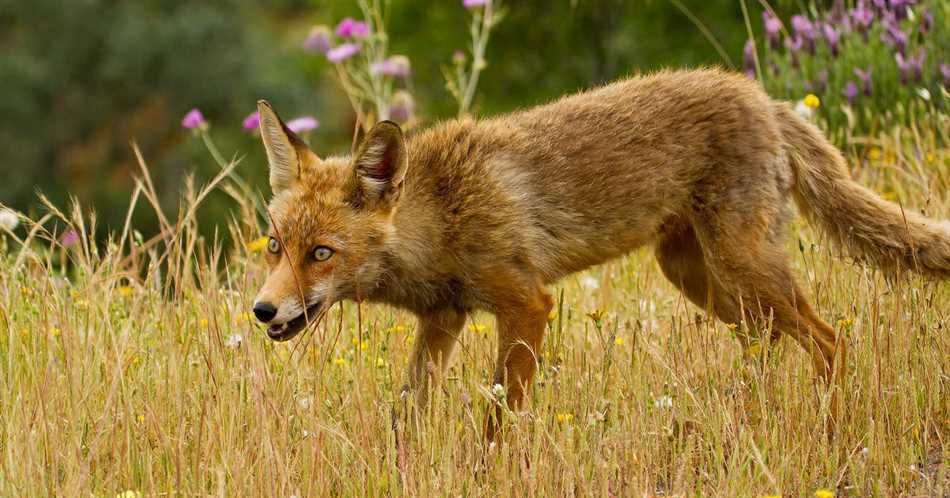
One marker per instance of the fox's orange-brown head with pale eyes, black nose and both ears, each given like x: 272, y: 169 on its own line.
x: 329, y: 222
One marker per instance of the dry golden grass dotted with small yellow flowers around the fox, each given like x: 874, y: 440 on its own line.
x: 139, y: 369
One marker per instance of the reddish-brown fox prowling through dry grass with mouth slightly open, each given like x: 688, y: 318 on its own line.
x: 486, y: 214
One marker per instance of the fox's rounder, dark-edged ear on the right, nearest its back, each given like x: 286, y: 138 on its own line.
x: 381, y: 163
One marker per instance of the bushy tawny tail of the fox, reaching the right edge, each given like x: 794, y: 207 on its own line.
x: 864, y: 225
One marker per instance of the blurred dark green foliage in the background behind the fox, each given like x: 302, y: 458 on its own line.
x: 84, y: 78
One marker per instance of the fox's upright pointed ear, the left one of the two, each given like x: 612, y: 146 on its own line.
x: 282, y: 147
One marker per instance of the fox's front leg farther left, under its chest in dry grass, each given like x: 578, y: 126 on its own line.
x: 435, y: 340
